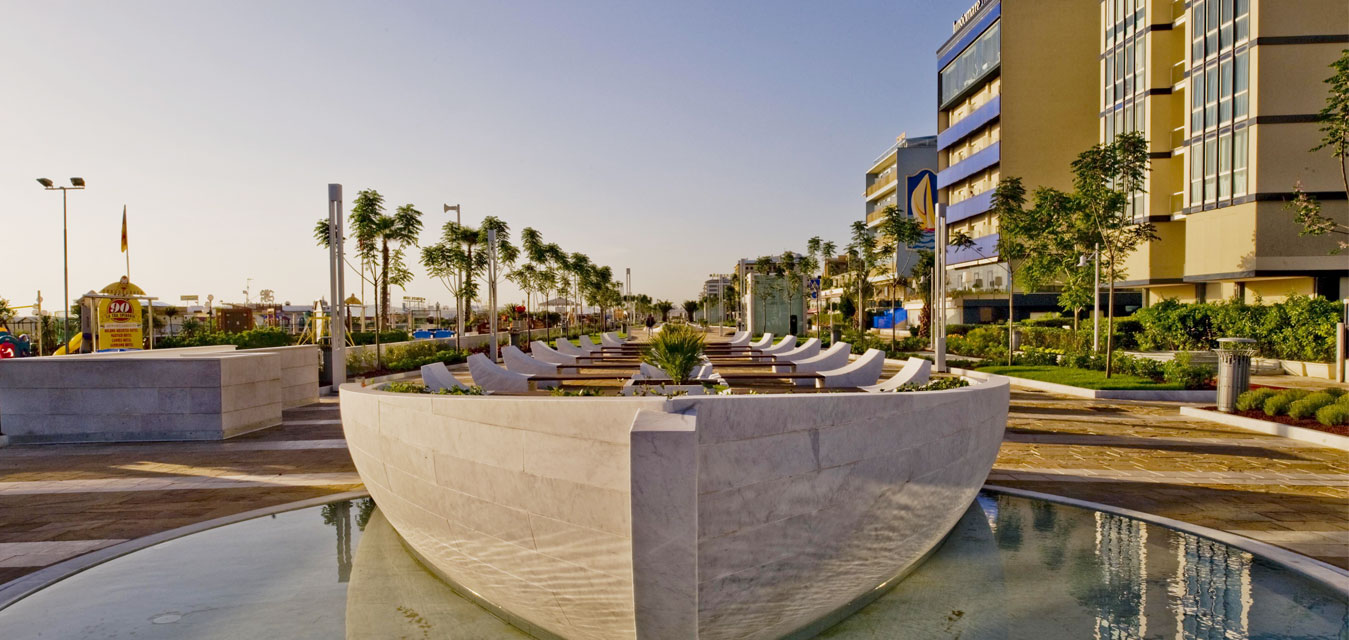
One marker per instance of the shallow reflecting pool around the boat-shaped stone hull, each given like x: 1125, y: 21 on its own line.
x: 1012, y: 569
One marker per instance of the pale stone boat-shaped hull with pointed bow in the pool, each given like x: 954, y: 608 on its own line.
x: 743, y: 516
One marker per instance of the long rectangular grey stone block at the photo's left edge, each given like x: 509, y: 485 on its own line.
x: 113, y: 398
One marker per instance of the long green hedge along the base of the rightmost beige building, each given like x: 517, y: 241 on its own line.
x: 1301, y: 329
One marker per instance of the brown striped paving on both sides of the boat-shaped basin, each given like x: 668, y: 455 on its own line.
x: 60, y: 502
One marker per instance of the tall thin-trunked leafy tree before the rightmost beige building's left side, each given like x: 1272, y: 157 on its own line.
x: 1106, y: 178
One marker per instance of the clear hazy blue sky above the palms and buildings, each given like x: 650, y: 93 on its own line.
x: 667, y: 138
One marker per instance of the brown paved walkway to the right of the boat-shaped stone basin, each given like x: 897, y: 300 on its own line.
x: 1146, y: 457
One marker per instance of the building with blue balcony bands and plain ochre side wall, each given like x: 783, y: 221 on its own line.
x: 1016, y: 98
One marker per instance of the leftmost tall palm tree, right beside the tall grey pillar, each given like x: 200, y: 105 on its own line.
x: 381, y: 242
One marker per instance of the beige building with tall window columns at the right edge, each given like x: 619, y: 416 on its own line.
x: 1227, y: 94
